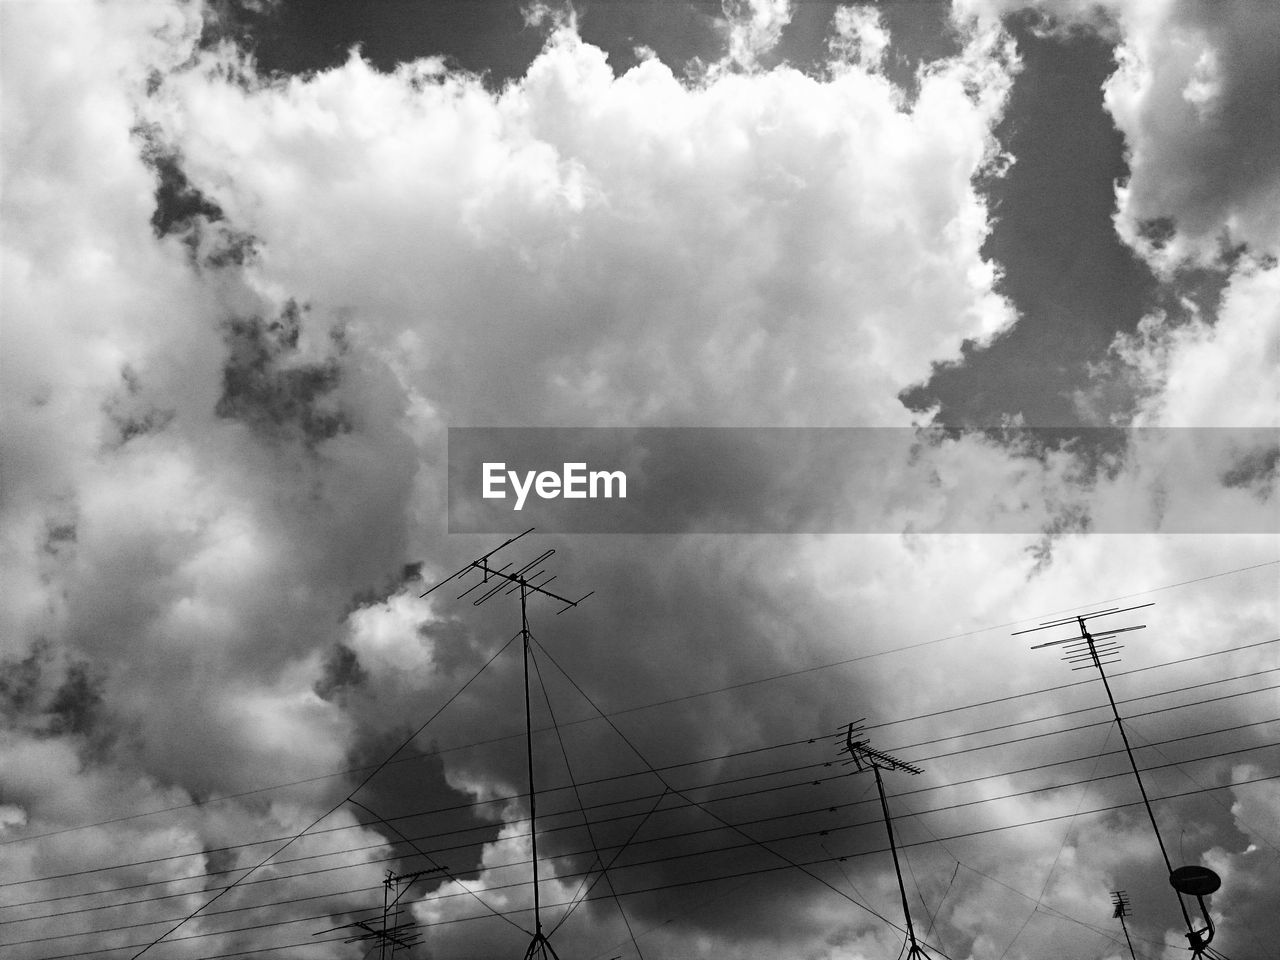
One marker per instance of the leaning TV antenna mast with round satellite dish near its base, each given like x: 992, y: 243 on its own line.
x: 1099, y: 651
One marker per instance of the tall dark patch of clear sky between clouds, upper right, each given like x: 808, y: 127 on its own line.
x: 1075, y: 284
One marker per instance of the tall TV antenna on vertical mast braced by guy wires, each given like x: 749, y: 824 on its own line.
x: 524, y: 580
